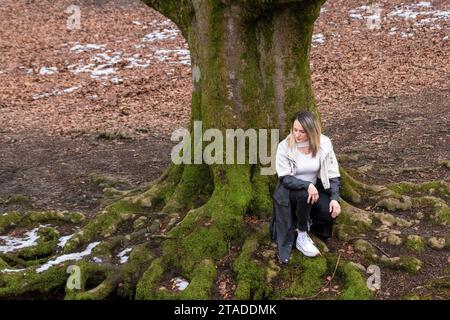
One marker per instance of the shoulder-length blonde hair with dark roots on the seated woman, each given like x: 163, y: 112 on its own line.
x: 311, y: 125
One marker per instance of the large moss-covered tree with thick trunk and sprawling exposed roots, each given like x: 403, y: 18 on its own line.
x: 250, y: 66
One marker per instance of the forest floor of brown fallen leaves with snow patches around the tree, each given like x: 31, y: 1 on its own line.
x: 105, y: 98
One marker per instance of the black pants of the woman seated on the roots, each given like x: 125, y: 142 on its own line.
x: 314, y: 217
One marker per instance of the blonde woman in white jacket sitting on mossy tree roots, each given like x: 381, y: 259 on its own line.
x: 307, y: 194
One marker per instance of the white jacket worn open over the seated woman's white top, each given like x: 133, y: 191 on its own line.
x: 286, y: 163
